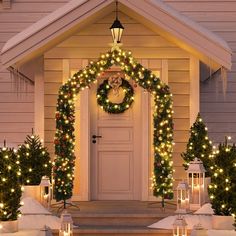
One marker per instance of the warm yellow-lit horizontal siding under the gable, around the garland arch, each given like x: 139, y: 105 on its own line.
x: 89, y: 43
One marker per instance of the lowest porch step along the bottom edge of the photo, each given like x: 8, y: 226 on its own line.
x: 118, y: 231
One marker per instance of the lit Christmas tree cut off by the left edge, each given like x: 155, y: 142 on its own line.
x: 10, y: 187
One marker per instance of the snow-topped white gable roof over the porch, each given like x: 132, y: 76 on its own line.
x: 154, y: 14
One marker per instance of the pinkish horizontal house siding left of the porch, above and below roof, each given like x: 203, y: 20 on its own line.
x: 17, y: 105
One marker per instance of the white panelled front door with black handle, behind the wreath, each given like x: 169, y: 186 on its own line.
x: 116, y: 155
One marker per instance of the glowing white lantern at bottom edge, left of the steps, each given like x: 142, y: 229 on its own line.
x: 66, y: 224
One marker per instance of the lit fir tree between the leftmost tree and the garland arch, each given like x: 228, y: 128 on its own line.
x: 34, y: 161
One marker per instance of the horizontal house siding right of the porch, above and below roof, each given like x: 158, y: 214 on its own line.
x: 218, y: 109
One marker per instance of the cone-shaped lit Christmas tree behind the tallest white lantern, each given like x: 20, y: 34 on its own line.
x: 199, y: 146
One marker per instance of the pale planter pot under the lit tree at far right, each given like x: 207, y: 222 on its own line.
x: 222, y: 222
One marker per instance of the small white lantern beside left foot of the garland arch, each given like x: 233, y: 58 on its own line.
x: 45, y: 191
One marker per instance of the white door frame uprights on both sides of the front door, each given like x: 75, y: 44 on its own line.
x: 84, y: 173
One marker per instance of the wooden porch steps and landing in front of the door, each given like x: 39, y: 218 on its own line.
x: 121, y: 218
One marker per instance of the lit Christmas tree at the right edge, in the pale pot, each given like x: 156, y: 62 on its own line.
x: 222, y: 190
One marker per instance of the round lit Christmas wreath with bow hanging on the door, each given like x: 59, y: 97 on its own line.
x: 115, y: 83
